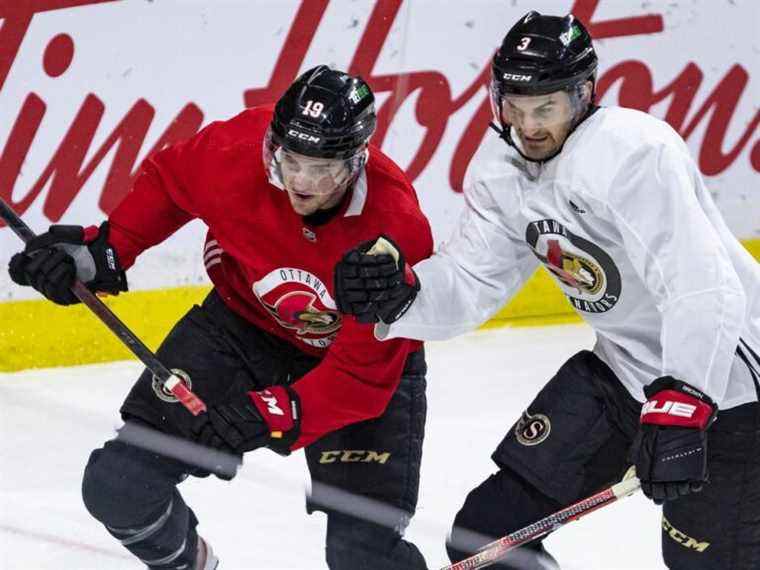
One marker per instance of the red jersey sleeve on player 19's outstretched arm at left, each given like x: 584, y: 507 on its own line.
x: 160, y: 202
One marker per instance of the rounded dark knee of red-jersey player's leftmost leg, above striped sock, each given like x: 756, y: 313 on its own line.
x: 124, y: 485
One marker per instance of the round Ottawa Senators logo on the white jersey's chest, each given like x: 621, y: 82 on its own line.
x: 586, y: 273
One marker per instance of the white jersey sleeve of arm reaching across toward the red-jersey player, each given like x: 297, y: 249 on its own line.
x: 472, y: 276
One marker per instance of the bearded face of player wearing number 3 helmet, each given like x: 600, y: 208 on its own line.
x: 542, y: 122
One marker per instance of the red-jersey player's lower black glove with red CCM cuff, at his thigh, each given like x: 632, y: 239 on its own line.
x: 250, y: 420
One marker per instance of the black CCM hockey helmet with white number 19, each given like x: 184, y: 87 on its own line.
x: 325, y: 114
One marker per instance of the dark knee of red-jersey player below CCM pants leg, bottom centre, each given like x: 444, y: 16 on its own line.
x: 355, y: 544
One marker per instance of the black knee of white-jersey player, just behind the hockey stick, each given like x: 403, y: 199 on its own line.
x: 502, y: 504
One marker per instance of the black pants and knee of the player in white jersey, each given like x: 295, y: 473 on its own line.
x: 574, y: 439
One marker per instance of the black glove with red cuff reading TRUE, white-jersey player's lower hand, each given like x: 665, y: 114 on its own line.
x: 670, y: 450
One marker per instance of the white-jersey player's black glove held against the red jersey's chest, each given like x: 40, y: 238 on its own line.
x: 373, y: 282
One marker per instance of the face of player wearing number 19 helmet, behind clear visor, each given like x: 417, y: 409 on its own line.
x: 313, y: 183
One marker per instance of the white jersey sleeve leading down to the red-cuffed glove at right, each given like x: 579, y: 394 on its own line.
x: 678, y: 255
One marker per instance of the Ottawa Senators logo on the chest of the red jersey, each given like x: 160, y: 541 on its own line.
x: 299, y: 301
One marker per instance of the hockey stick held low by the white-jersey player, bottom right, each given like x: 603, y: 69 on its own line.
x: 494, y: 551
